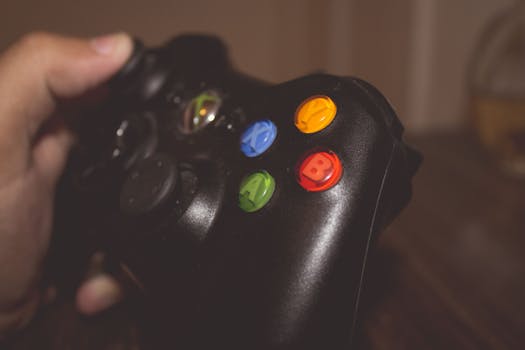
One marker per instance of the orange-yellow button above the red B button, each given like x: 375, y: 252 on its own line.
x: 315, y: 114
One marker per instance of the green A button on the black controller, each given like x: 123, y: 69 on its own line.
x: 255, y: 191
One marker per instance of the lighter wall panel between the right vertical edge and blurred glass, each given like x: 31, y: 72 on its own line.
x: 445, y: 34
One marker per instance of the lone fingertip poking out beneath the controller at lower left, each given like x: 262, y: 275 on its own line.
x: 98, y: 294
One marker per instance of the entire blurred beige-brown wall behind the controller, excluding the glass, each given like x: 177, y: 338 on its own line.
x: 415, y: 51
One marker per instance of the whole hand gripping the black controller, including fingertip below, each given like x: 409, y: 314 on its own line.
x: 37, y: 75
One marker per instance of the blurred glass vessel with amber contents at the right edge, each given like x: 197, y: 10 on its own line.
x: 497, y: 87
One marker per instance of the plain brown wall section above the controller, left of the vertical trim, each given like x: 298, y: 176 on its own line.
x: 274, y: 39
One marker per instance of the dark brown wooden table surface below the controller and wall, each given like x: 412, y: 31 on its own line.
x: 449, y: 273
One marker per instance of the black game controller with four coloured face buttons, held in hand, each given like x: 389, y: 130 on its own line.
x: 244, y: 211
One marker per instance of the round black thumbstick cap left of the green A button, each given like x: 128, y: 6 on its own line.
x: 148, y: 185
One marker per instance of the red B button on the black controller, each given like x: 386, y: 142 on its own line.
x: 319, y: 171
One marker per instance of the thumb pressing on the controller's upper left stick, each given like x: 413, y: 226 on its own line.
x: 42, y: 68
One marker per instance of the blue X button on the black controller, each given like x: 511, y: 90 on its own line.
x: 258, y: 137
